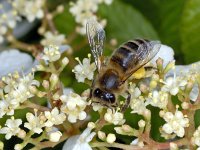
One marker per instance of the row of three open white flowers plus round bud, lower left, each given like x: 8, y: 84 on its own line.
x: 35, y: 123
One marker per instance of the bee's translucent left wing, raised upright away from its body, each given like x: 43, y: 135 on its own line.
x: 96, y: 36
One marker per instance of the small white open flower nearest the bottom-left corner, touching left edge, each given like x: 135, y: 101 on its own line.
x: 12, y: 128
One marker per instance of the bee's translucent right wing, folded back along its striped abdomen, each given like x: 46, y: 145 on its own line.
x: 143, y: 55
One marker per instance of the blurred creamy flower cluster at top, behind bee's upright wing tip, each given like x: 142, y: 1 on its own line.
x: 83, y: 10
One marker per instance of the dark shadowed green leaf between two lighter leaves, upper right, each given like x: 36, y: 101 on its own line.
x: 165, y: 16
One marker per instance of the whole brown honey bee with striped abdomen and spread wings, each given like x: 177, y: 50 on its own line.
x: 110, y: 82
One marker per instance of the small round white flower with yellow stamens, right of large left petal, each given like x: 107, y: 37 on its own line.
x: 51, y: 53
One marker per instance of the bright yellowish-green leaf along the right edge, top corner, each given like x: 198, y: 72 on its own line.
x: 190, y: 30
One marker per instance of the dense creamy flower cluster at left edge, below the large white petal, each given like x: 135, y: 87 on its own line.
x: 16, y: 91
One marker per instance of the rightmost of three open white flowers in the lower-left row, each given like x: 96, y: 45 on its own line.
x: 54, y: 117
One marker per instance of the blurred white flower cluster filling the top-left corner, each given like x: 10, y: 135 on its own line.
x: 11, y: 12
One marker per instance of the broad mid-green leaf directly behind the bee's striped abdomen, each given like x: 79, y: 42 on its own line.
x: 125, y: 23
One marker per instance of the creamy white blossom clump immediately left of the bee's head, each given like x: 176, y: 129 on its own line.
x: 74, y: 105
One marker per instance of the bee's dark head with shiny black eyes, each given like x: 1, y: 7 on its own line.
x: 104, y: 96
